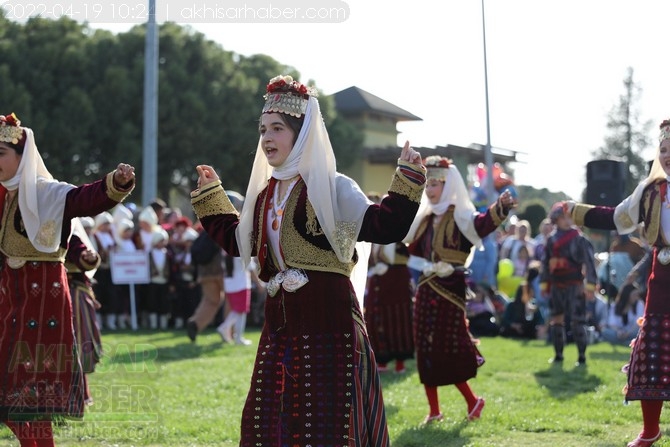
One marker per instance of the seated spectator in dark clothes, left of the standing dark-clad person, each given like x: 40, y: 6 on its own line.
x: 522, y: 317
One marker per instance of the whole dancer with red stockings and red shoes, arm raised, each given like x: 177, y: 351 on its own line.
x: 445, y: 230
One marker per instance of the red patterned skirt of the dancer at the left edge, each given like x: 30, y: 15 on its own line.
x: 41, y: 371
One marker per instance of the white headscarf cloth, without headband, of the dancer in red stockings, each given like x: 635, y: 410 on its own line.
x: 454, y: 193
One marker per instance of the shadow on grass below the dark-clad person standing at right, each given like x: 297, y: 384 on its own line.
x: 564, y: 383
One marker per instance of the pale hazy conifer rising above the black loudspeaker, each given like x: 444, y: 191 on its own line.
x: 627, y: 135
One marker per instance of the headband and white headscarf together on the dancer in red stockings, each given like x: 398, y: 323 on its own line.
x: 454, y: 193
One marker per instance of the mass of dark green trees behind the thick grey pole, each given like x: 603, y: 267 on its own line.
x: 82, y: 92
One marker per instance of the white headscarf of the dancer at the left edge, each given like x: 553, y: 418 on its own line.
x: 41, y: 198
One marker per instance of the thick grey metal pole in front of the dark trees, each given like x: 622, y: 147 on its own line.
x: 150, y: 135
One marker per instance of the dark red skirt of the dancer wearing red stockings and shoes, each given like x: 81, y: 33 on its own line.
x: 445, y: 352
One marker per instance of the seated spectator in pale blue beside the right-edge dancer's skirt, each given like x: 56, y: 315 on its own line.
x: 622, y: 324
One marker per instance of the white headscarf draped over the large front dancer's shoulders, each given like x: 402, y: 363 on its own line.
x: 338, y: 201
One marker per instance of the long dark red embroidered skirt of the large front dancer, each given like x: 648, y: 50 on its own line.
x: 315, y: 380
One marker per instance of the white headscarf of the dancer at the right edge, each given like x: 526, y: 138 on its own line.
x: 627, y: 213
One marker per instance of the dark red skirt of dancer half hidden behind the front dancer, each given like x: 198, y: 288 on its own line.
x: 388, y: 315
